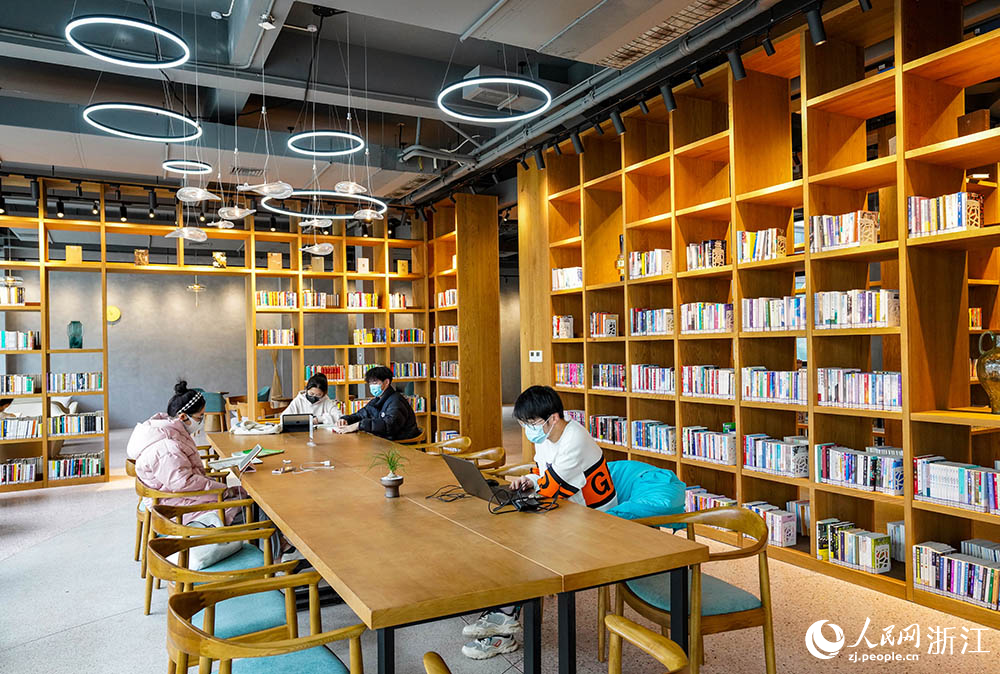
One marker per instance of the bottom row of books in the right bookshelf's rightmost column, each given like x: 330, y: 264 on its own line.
x: 972, y: 575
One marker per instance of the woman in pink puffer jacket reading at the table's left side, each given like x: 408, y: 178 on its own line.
x: 166, y: 457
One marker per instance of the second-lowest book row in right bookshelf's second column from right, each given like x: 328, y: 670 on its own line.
x: 878, y: 469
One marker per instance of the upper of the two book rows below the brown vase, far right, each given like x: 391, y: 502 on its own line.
x: 961, y: 485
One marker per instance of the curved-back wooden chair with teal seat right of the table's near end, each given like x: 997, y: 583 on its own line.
x: 716, y: 606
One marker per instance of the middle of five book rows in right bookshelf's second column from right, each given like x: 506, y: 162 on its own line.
x: 852, y: 388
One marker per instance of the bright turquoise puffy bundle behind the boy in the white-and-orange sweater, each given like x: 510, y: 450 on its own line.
x: 645, y: 491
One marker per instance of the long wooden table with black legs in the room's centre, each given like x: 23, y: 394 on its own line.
x: 399, y: 562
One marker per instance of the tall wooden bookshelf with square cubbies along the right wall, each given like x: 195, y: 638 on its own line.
x: 727, y: 162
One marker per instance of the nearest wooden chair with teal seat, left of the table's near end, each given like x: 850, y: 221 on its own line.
x: 186, y: 641
